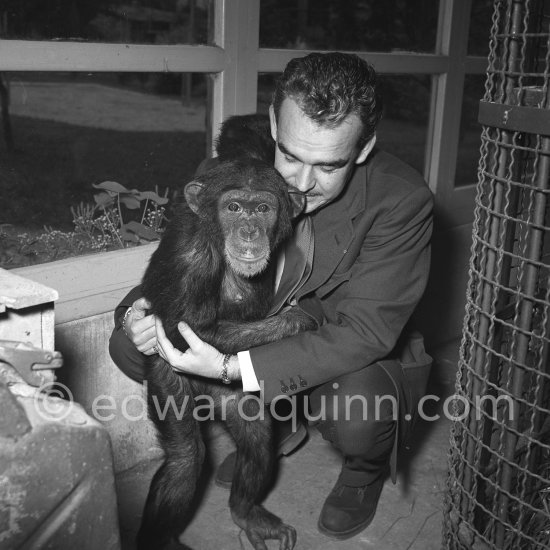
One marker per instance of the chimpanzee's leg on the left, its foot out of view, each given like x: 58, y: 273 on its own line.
x: 170, y: 399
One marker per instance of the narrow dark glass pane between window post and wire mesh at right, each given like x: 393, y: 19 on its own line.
x: 470, y: 131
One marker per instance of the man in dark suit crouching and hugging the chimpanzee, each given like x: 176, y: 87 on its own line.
x: 358, y: 264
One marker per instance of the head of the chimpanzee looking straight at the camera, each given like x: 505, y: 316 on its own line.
x: 245, y: 210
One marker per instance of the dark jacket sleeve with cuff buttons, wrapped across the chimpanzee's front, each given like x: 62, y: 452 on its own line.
x: 367, y: 308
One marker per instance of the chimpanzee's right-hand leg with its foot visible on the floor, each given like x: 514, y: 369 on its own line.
x: 251, y: 426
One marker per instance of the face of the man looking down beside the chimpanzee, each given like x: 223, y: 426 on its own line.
x: 316, y: 160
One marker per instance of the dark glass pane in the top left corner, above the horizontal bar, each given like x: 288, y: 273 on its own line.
x: 135, y: 21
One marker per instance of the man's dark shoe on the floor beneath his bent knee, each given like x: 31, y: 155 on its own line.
x: 349, y: 510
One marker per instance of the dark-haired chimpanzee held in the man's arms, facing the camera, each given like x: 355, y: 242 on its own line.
x: 213, y: 270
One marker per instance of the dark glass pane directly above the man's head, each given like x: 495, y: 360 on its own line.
x: 362, y: 25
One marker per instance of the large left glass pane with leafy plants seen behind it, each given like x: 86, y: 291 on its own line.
x: 71, y: 131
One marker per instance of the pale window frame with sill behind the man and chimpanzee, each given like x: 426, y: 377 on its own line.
x: 91, y: 285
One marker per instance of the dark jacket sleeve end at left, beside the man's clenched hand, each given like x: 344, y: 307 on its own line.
x: 121, y: 349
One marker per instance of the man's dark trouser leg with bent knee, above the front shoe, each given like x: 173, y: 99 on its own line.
x: 369, y: 414
